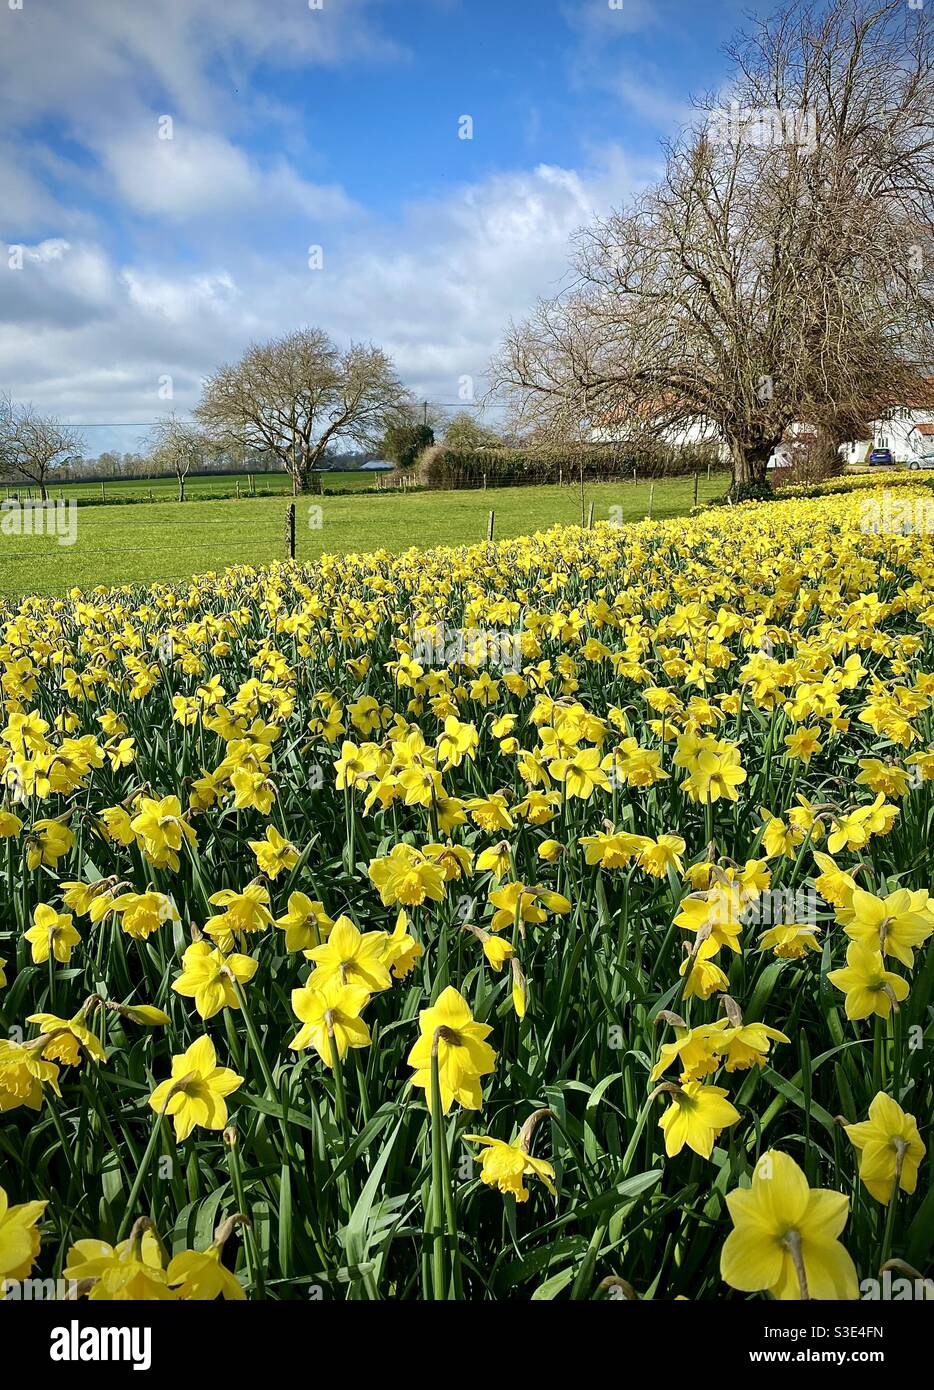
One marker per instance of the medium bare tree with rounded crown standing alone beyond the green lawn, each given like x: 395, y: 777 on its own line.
x: 300, y: 395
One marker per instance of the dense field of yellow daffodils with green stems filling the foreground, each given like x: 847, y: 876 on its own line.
x: 547, y: 919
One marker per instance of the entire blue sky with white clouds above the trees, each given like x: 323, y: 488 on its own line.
x: 140, y: 263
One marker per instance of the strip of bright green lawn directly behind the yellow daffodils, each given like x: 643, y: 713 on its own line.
x: 169, y: 541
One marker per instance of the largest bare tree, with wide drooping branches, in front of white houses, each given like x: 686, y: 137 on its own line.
x: 783, y: 266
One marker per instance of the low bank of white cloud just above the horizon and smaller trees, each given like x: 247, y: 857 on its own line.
x: 434, y: 290
